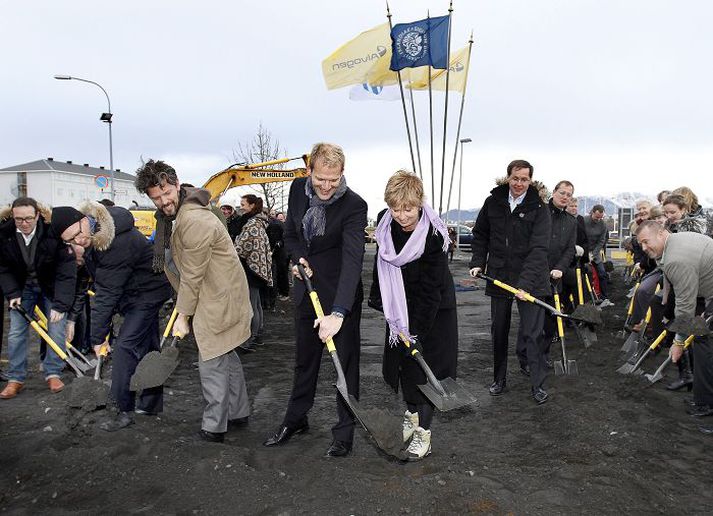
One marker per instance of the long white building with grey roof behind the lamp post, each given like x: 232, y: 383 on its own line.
x: 59, y: 183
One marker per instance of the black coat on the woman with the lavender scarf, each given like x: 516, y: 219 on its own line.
x: 431, y: 302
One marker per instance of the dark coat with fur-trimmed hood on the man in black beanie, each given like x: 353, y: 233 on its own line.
x: 120, y: 262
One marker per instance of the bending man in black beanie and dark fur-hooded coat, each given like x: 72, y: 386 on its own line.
x: 119, y: 258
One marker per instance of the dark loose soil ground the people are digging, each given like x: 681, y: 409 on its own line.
x: 604, y: 443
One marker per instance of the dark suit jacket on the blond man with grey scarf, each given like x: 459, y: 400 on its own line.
x: 336, y: 257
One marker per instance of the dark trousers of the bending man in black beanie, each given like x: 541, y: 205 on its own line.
x: 139, y: 334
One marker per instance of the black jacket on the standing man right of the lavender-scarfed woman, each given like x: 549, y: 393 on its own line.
x: 513, y: 245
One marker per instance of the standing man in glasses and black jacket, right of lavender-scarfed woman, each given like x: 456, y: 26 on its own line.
x: 511, y: 238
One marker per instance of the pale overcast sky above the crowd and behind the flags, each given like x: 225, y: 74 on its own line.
x: 613, y: 95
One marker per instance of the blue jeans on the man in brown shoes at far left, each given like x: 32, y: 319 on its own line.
x: 17, y: 339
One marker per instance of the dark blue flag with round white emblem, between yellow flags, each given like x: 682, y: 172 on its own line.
x: 420, y: 43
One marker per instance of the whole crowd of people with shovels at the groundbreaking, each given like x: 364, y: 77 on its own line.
x: 223, y: 272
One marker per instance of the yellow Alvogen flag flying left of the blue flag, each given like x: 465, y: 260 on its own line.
x: 350, y: 63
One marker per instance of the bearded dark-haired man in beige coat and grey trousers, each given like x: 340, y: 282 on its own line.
x: 195, y: 250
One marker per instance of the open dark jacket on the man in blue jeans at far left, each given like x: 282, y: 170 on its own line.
x: 54, y: 265
